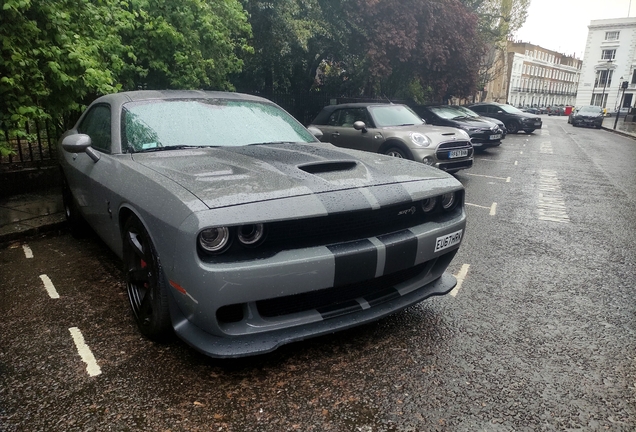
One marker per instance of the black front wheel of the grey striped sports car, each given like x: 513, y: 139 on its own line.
x: 145, y: 282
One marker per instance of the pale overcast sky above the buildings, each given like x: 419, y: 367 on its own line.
x: 561, y: 25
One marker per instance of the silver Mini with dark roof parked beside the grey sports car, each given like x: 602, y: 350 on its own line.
x: 397, y: 131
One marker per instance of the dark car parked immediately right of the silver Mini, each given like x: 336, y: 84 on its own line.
x: 483, y: 133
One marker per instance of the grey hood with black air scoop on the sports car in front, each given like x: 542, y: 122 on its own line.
x: 229, y: 176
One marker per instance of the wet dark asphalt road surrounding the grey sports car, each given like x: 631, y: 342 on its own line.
x: 540, y: 335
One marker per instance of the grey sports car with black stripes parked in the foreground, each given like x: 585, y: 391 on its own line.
x: 241, y: 232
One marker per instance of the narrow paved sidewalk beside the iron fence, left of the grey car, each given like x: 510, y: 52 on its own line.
x: 31, y: 213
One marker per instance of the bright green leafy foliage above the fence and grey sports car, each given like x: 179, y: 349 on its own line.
x: 57, y: 56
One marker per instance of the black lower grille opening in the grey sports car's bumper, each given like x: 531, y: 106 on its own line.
x: 330, y: 298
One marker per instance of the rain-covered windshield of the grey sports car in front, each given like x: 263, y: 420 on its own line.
x: 178, y: 123
